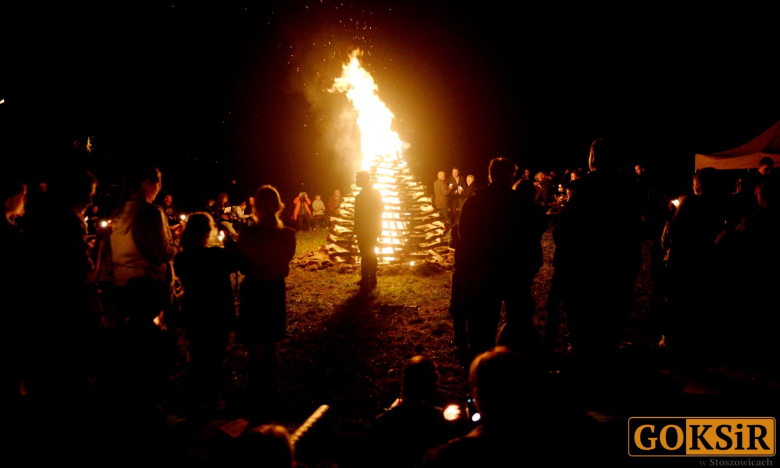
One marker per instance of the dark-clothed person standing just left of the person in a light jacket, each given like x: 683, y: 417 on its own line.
x: 64, y: 321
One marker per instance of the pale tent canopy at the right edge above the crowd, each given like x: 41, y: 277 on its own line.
x: 745, y: 156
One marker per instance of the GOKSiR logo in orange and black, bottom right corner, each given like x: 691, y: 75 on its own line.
x: 701, y: 437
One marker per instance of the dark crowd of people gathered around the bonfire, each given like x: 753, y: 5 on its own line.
x: 713, y: 265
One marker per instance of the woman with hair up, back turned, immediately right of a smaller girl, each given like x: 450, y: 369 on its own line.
x: 265, y: 250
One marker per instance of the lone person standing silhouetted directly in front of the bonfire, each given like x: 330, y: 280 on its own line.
x: 368, y: 226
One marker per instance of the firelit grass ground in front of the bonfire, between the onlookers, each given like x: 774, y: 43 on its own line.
x: 347, y: 350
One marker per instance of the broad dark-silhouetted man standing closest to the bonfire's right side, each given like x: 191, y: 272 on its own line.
x: 500, y: 238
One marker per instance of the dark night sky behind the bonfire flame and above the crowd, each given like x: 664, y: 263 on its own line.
x: 235, y: 90
